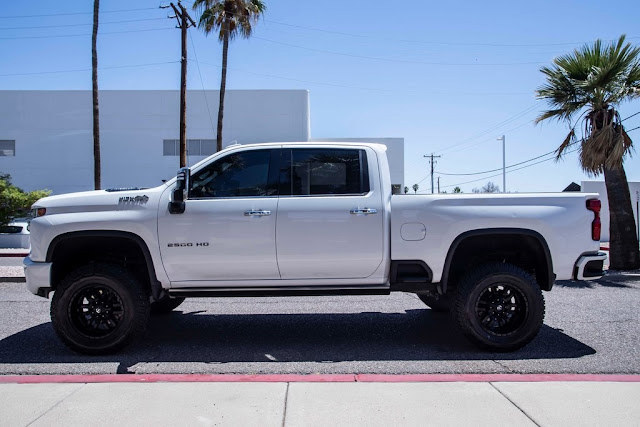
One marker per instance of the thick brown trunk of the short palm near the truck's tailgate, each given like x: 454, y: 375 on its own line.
x: 623, y: 250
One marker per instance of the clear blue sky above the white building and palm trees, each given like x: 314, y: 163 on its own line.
x: 449, y: 77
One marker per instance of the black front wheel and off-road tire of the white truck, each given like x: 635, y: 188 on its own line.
x: 96, y: 290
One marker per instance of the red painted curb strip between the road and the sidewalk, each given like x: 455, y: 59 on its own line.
x: 158, y: 378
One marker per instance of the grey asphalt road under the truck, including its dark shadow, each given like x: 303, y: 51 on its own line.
x: 589, y: 328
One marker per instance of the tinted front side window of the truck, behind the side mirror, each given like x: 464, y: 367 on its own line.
x: 244, y: 174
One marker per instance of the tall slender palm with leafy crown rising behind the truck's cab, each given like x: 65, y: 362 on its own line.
x: 230, y: 18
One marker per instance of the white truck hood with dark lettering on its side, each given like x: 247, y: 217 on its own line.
x: 101, y: 200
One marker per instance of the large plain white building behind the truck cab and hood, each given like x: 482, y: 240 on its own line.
x: 46, y: 138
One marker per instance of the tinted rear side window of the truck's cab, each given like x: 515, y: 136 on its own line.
x: 328, y: 171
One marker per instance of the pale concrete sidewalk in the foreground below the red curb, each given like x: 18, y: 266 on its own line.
x: 321, y: 404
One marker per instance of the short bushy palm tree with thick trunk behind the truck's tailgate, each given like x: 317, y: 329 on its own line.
x: 589, y: 84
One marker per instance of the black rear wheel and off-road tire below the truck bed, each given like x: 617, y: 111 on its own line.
x: 486, y: 297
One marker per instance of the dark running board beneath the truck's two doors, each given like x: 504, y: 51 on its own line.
x: 285, y: 291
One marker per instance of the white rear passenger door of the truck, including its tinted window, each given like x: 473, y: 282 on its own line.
x: 330, y: 222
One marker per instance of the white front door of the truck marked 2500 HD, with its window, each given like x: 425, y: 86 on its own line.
x: 227, y: 231
